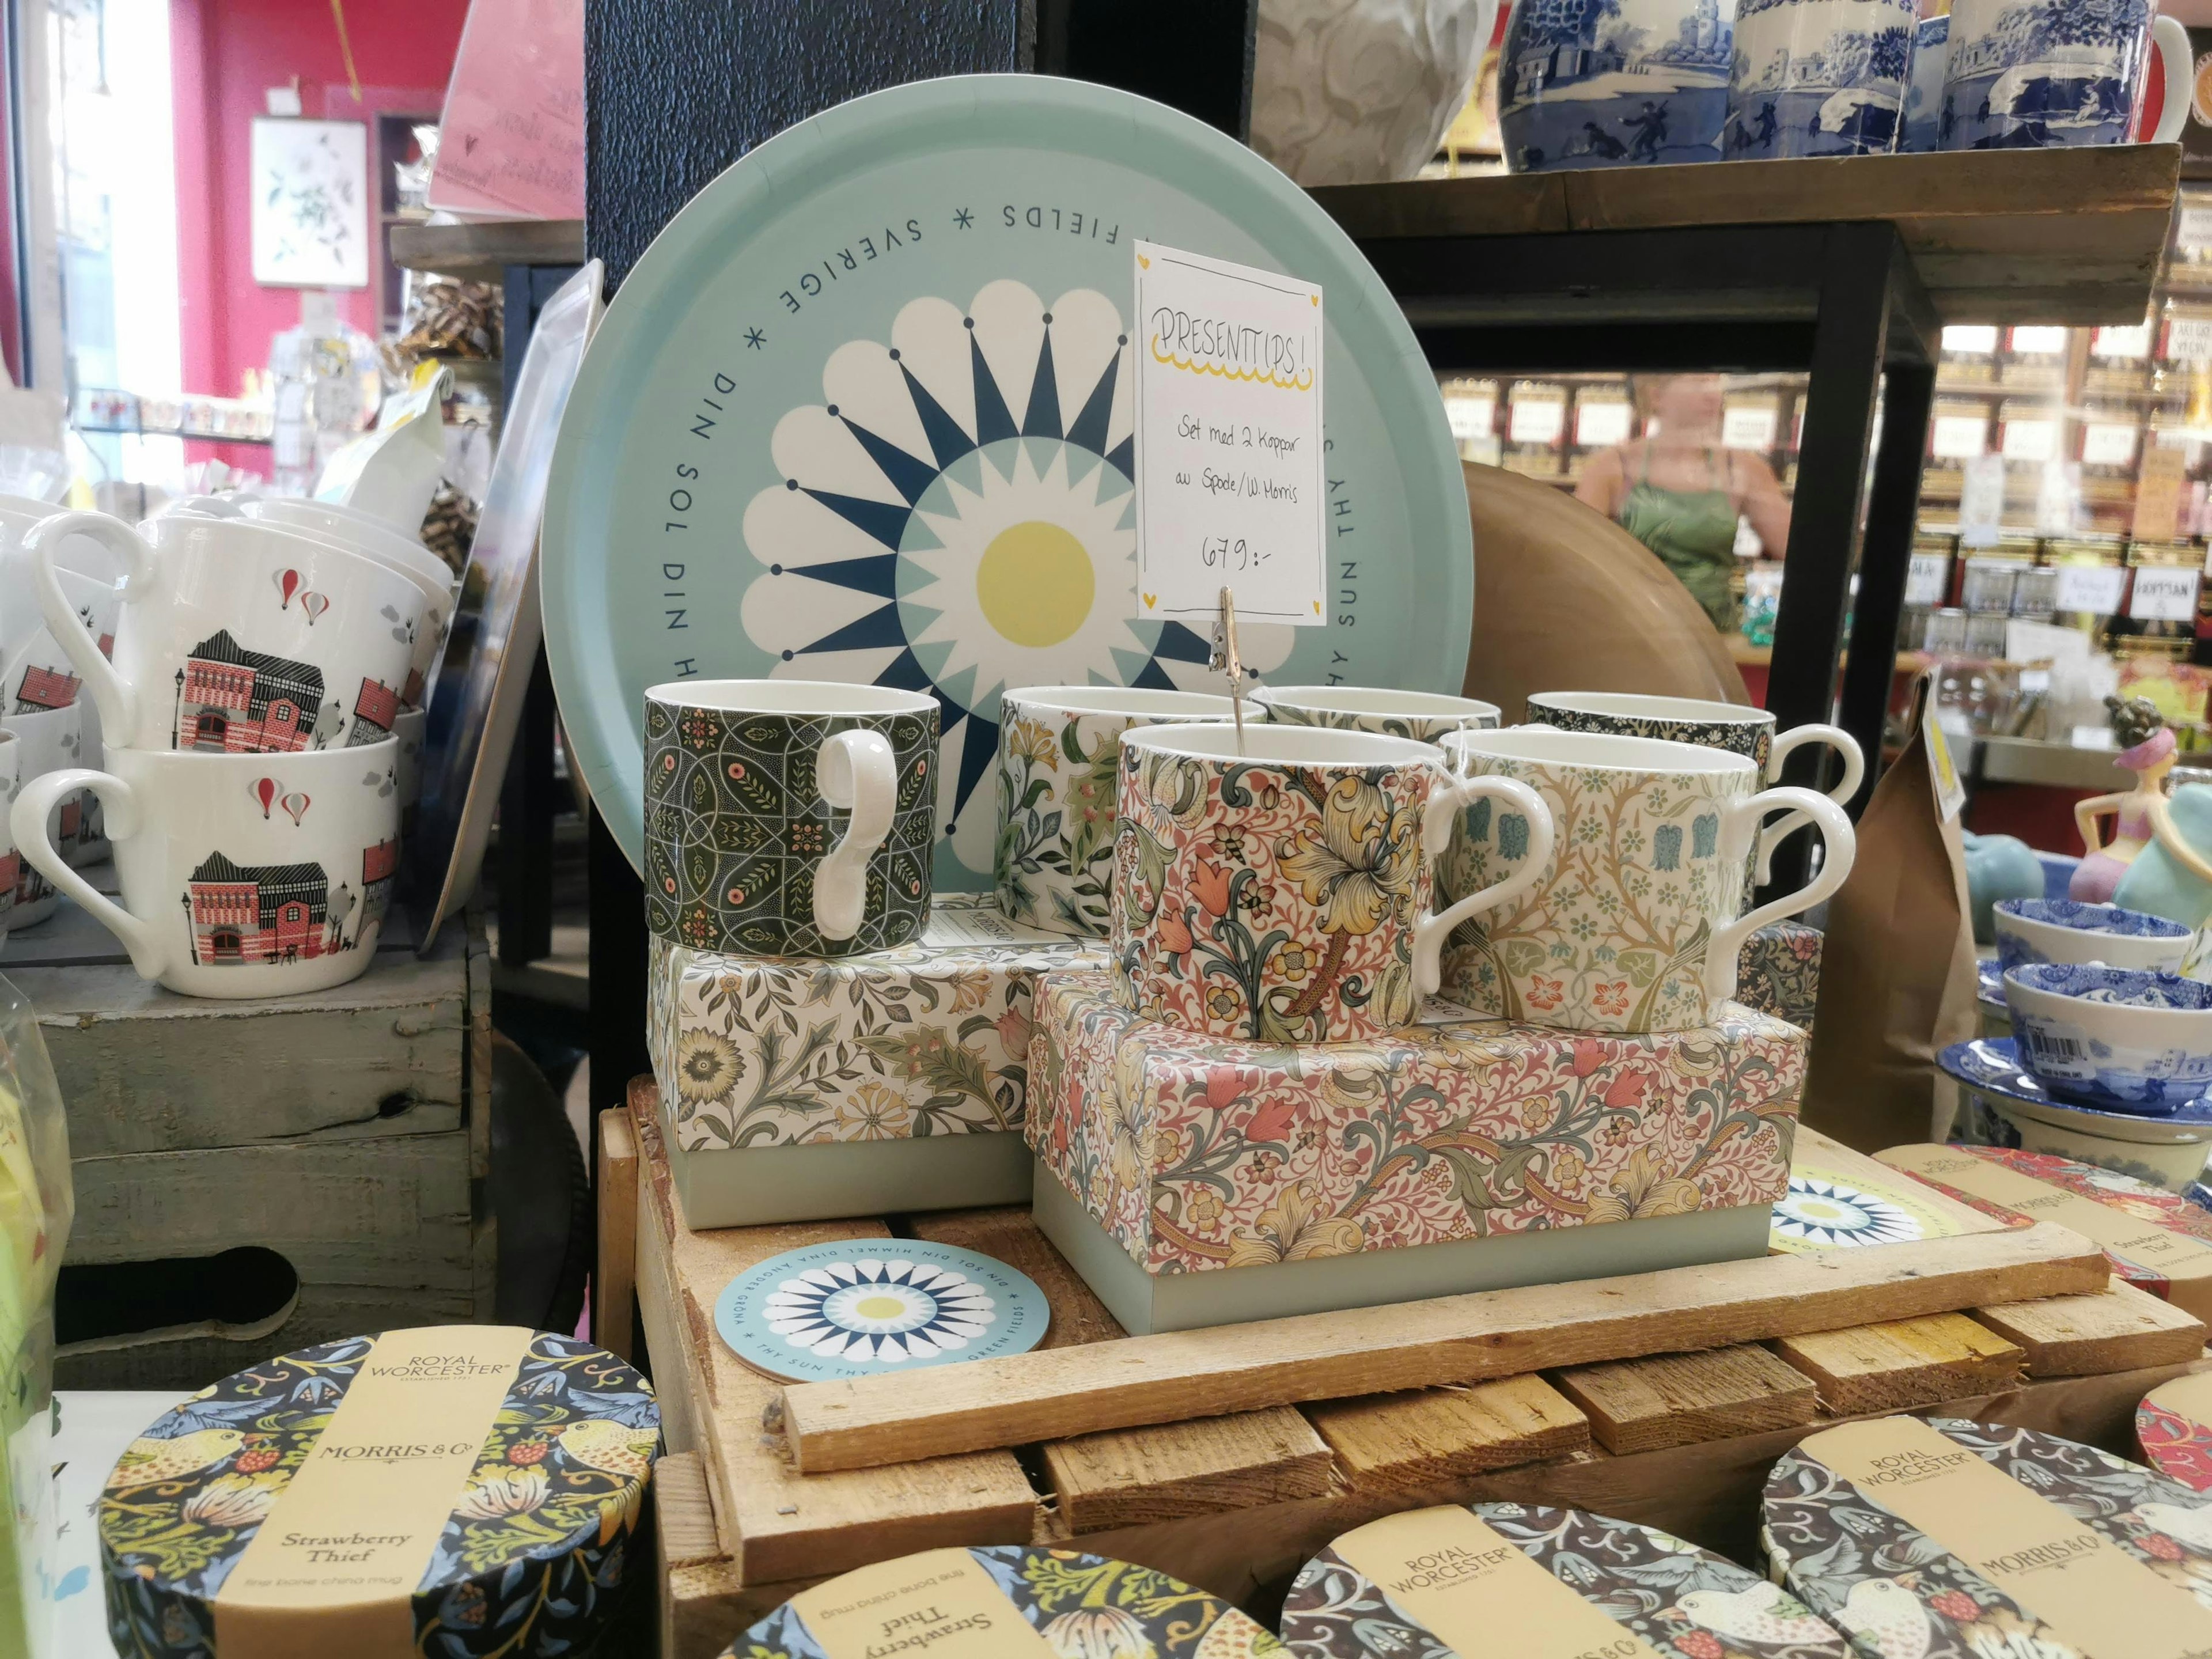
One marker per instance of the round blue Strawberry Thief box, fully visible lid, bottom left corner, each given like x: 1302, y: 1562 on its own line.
x: 457, y: 1490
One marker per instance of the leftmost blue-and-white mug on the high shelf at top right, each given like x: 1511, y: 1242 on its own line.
x: 1629, y: 83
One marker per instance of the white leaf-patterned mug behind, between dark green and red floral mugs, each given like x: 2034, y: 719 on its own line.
x: 1058, y: 782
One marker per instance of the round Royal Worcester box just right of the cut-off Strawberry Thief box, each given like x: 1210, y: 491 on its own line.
x: 1538, y: 1585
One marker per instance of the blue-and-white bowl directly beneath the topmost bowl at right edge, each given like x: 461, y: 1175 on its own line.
x: 2116, y: 1039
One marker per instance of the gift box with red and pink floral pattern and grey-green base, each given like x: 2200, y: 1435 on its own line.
x: 1202, y: 1182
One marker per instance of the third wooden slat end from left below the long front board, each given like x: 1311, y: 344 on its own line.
x: 1412, y: 1441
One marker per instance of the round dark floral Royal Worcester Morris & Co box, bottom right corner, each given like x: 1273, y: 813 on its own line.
x: 1963, y: 1541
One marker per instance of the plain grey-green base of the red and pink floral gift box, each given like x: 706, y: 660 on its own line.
x: 1149, y: 1304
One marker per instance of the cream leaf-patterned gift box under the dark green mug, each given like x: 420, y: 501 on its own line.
x: 800, y: 1089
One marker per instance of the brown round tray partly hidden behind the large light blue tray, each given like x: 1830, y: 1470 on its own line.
x: 1569, y: 601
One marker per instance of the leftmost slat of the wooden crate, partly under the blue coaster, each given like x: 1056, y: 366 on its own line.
x: 773, y: 1523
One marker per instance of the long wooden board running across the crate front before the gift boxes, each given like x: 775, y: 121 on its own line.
x: 1450, y: 1339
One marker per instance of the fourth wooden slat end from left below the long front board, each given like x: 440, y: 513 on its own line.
x: 1680, y: 1399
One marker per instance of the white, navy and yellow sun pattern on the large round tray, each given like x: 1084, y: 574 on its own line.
x: 957, y: 517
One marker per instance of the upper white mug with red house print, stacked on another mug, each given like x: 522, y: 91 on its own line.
x: 236, y: 638
